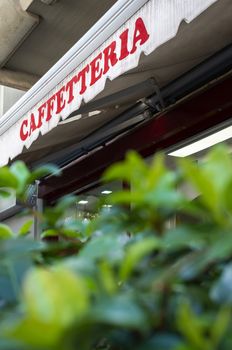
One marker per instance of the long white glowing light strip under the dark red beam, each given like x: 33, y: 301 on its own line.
x: 204, y: 143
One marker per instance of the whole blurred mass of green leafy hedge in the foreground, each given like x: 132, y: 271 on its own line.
x: 130, y: 278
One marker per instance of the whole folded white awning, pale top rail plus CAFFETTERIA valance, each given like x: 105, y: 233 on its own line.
x: 110, y: 49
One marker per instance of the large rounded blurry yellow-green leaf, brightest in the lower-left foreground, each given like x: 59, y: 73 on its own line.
x: 55, y: 296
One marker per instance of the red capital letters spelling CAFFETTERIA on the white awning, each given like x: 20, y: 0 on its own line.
x: 86, y: 77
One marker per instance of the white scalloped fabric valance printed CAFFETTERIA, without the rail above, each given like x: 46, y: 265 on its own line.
x: 155, y: 23
